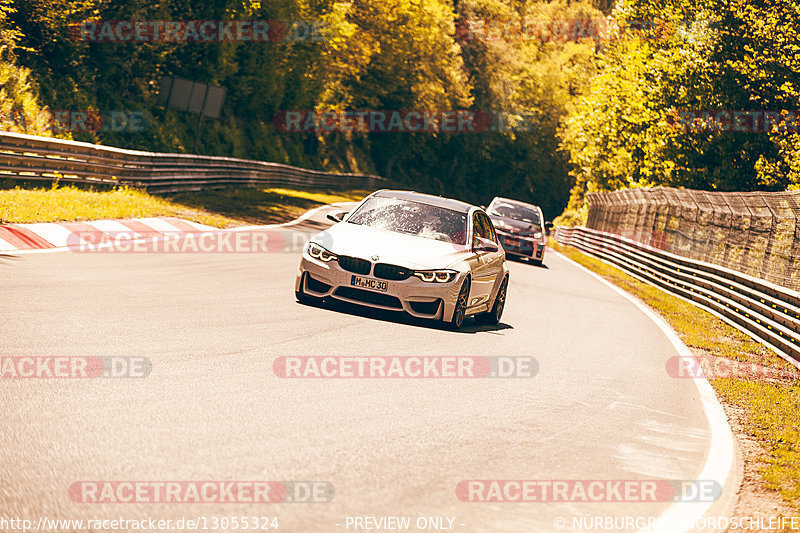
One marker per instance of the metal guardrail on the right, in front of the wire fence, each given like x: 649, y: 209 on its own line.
x: 767, y: 312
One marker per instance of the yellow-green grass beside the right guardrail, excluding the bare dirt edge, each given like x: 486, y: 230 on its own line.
x: 770, y: 408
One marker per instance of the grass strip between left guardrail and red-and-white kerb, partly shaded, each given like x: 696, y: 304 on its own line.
x: 218, y: 208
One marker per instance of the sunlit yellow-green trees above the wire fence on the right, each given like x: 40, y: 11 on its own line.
x: 729, y: 56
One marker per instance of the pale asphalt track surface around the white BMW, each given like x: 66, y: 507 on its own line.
x: 601, y: 406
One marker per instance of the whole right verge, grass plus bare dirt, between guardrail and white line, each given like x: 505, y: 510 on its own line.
x: 764, y: 410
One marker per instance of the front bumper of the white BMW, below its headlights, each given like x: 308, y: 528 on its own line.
x: 413, y: 296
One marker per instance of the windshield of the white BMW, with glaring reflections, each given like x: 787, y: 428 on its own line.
x: 412, y: 218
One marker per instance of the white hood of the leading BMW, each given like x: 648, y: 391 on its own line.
x: 391, y: 247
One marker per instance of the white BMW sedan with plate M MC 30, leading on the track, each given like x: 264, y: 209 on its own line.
x: 429, y: 256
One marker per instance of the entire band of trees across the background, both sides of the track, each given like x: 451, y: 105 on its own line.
x: 568, y: 115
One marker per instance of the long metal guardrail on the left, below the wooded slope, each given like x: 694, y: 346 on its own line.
x: 31, y: 157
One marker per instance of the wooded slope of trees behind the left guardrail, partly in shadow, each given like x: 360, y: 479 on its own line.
x: 375, y: 55
